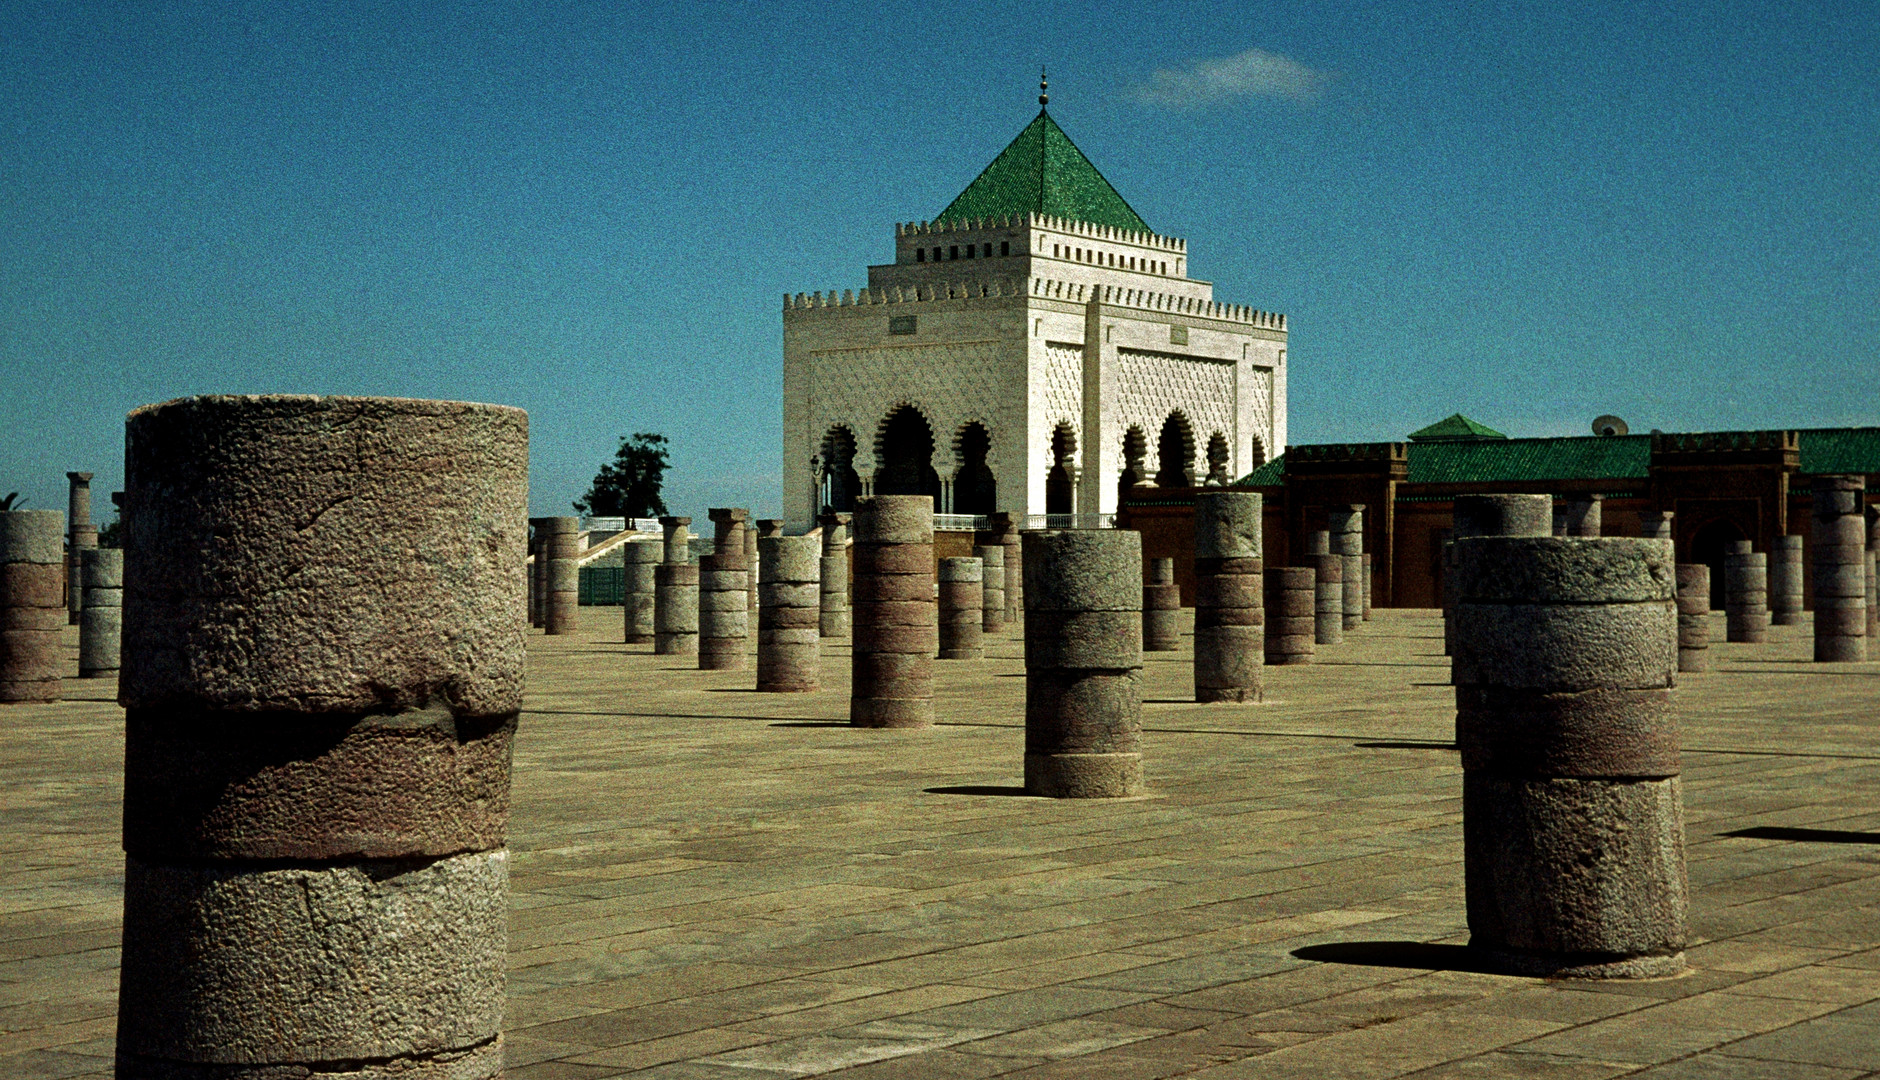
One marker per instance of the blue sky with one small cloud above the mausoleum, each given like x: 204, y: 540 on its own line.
x: 1527, y: 214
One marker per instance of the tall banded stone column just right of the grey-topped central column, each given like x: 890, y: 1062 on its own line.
x: 1229, y: 612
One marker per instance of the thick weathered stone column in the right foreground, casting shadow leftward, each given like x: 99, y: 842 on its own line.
x: 1573, y: 806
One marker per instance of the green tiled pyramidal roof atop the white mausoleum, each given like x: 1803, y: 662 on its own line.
x: 1042, y: 172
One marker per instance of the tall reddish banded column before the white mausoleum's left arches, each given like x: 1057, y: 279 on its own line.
x: 896, y: 631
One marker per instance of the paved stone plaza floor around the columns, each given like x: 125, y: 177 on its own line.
x: 713, y: 883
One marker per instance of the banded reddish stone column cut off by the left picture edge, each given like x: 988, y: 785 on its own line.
x: 33, y: 605
